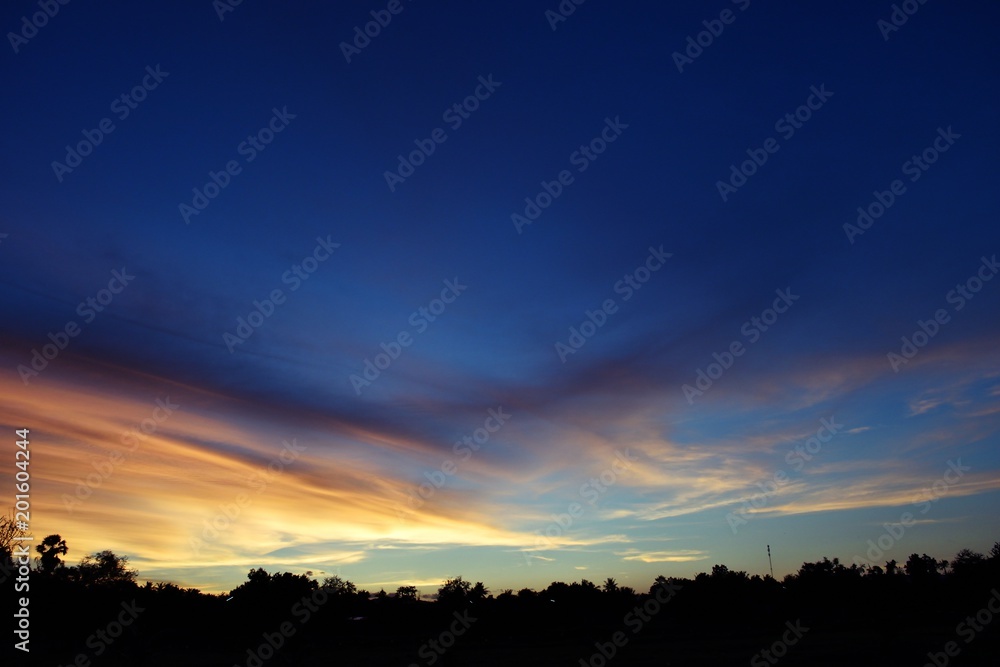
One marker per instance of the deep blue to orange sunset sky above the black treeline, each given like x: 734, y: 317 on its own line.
x: 523, y: 292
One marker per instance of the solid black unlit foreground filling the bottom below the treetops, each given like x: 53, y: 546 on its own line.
x: 825, y: 615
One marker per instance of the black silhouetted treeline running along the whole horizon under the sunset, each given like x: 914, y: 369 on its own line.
x: 898, y: 613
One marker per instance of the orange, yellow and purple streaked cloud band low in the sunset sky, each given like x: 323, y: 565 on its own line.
x: 345, y: 499
